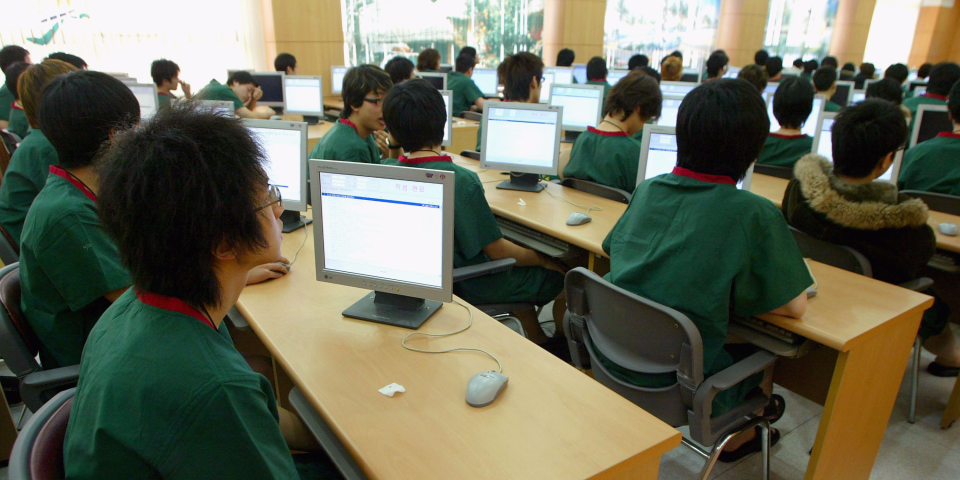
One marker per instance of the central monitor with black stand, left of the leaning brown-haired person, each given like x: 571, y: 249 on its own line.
x: 523, y: 138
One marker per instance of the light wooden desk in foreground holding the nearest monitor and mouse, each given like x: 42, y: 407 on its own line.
x: 550, y: 422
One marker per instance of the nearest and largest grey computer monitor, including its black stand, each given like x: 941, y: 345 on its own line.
x: 362, y: 208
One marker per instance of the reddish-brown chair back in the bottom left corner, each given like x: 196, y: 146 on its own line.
x: 38, y: 452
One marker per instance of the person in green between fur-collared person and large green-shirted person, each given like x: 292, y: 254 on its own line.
x: 792, y: 104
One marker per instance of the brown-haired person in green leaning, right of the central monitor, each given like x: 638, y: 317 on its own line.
x: 608, y: 154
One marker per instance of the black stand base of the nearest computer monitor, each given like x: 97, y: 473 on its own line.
x: 393, y: 309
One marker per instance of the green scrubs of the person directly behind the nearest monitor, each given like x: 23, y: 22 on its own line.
x: 475, y: 227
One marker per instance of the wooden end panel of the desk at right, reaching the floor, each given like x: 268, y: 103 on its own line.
x: 861, y: 397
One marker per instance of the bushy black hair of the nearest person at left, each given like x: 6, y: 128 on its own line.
x: 185, y: 170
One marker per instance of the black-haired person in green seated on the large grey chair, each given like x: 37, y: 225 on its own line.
x: 731, y: 246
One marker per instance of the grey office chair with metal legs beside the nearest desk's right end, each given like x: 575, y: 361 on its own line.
x: 645, y: 336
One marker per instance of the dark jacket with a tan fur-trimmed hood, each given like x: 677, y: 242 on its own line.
x: 887, y: 227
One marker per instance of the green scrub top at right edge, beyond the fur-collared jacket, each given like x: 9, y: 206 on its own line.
x: 933, y: 166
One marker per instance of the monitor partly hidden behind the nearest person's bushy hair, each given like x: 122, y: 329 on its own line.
x: 285, y: 147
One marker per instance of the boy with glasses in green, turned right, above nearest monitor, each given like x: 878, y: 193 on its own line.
x: 358, y: 135
